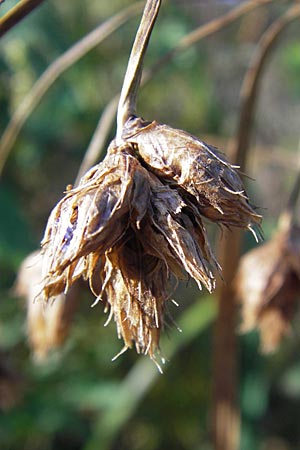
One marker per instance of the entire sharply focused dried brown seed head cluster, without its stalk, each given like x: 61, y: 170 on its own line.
x: 135, y: 220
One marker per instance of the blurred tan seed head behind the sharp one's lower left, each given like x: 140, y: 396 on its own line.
x: 47, y: 323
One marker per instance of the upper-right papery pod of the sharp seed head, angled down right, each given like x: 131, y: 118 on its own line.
x: 201, y: 171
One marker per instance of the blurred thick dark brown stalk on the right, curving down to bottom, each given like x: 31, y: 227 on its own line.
x: 226, y: 416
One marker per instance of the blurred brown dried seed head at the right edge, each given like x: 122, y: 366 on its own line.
x: 268, y: 285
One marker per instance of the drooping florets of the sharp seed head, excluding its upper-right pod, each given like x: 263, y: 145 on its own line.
x: 126, y: 232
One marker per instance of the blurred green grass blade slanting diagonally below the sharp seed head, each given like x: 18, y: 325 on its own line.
x: 142, y: 376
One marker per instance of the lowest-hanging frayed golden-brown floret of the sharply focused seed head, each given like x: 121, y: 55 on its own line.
x: 136, y: 290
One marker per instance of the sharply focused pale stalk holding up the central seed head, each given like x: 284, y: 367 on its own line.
x: 127, y: 103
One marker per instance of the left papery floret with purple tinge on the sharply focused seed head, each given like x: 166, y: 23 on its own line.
x: 93, y: 216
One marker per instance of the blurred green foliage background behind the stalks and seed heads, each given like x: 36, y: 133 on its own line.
x: 79, y: 399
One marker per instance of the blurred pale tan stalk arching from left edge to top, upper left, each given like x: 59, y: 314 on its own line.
x: 59, y: 66
